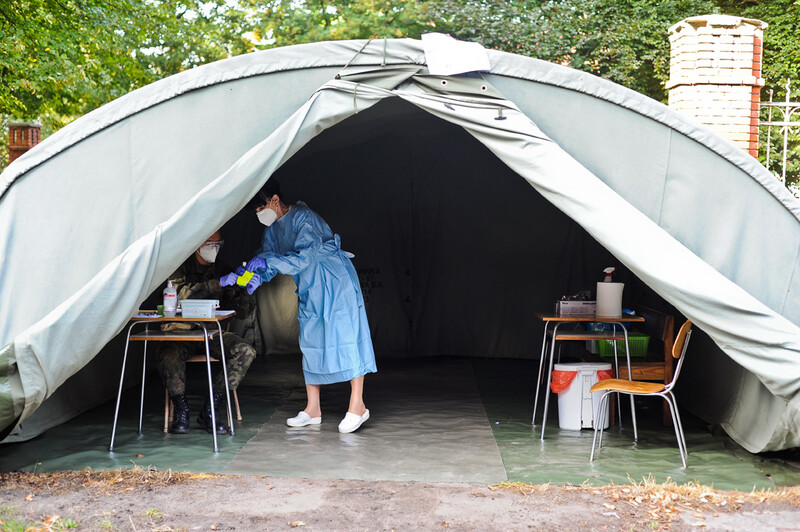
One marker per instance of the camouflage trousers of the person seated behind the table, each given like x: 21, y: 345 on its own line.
x: 172, y: 357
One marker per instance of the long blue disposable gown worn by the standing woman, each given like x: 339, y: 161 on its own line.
x: 334, y: 333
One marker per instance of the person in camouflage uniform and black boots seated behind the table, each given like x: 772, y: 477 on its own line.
x: 198, y: 278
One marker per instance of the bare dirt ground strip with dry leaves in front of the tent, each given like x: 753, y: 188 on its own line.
x: 140, y: 500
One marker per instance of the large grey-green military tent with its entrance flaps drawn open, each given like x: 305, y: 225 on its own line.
x: 469, y: 200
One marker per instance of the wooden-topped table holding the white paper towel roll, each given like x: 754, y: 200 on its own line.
x: 618, y: 332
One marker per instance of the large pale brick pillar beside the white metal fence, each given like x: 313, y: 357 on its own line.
x: 715, y: 75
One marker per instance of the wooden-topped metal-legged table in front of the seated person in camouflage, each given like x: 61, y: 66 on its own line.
x: 155, y: 334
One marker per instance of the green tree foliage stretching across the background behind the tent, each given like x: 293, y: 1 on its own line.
x: 62, y: 58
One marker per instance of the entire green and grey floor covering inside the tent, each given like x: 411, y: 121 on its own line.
x: 431, y: 419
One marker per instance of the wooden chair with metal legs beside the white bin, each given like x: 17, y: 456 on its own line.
x: 641, y: 388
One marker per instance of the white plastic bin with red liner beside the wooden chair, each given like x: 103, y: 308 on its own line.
x: 577, y: 406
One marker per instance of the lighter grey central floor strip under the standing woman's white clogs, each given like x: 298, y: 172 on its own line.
x: 406, y: 437
